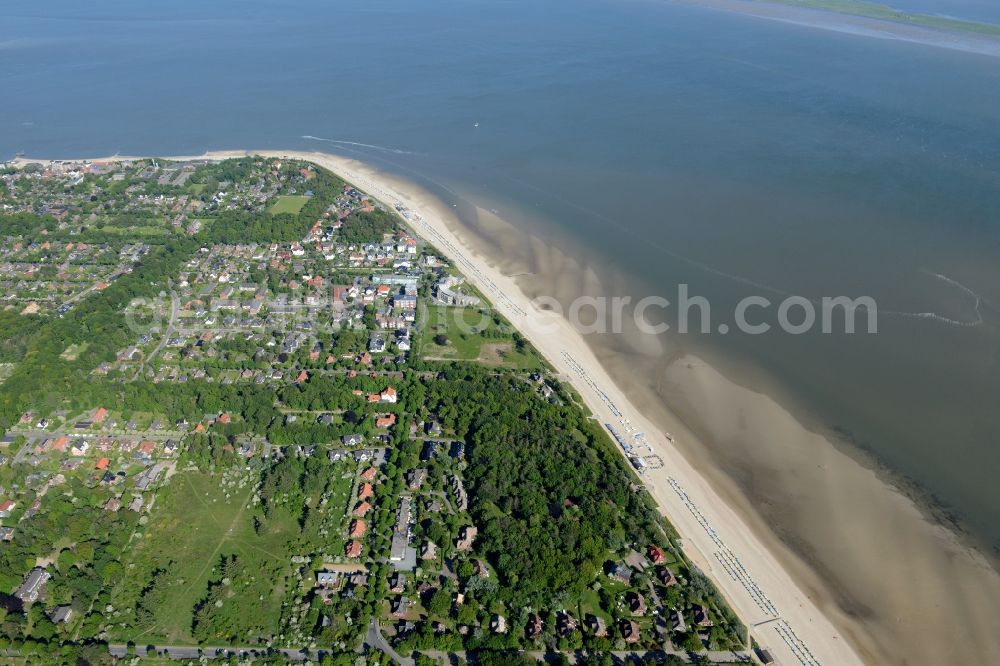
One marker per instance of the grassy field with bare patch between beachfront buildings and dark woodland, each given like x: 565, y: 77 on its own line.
x: 472, y: 335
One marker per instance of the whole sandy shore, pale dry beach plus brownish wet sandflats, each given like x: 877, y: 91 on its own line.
x: 883, y: 583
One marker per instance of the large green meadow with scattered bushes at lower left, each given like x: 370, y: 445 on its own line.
x: 191, y: 527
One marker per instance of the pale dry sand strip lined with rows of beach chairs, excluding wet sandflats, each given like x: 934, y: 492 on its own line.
x: 781, y: 616
